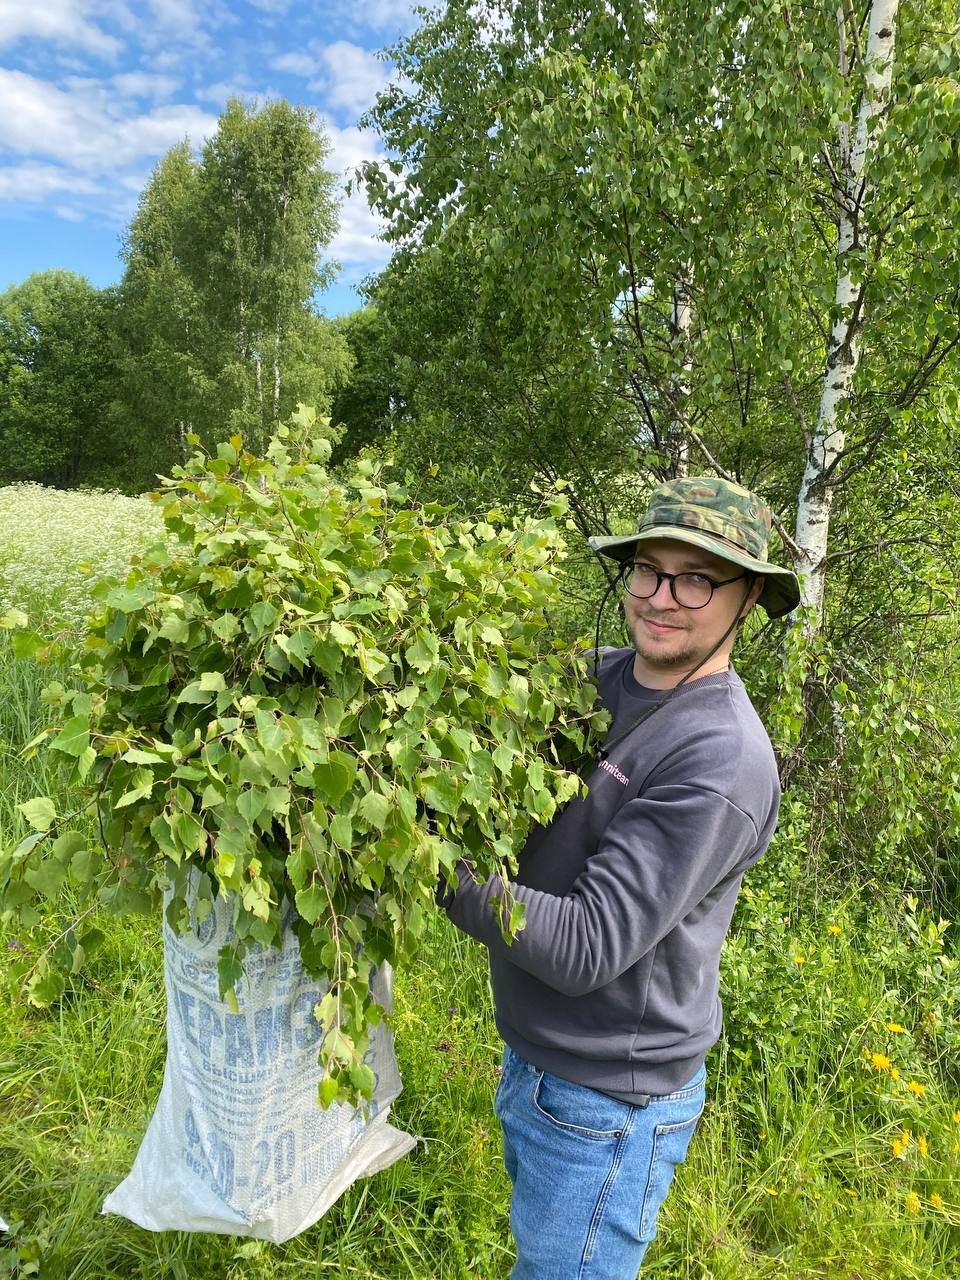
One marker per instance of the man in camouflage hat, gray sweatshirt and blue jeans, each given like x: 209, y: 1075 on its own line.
x: 607, y: 1000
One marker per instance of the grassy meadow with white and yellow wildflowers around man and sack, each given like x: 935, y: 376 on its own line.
x: 830, y: 1146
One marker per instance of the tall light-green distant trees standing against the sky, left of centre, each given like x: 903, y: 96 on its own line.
x: 218, y: 331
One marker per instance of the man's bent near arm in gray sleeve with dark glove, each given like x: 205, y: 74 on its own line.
x: 660, y: 858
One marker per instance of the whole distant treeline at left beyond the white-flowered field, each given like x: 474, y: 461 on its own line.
x: 213, y: 330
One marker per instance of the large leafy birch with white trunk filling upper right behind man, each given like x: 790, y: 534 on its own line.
x: 633, y: 239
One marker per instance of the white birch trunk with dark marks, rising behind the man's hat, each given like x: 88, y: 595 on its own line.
x: 829, y: 438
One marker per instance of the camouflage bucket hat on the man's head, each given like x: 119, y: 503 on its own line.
x: 720, y: 518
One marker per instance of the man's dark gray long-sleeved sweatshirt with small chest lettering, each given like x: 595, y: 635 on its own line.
x: 614, y: 981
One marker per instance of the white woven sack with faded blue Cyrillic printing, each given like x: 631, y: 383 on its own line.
x: 239, y: 1142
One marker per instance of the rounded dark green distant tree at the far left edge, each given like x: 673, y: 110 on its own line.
x: 56, y: 378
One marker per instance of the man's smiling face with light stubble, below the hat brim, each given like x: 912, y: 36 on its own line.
x: 671, y: 641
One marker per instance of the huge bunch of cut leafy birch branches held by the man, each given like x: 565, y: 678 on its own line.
x: 312, y: 693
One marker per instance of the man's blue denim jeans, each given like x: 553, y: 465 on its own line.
x: 589, y: 1173
